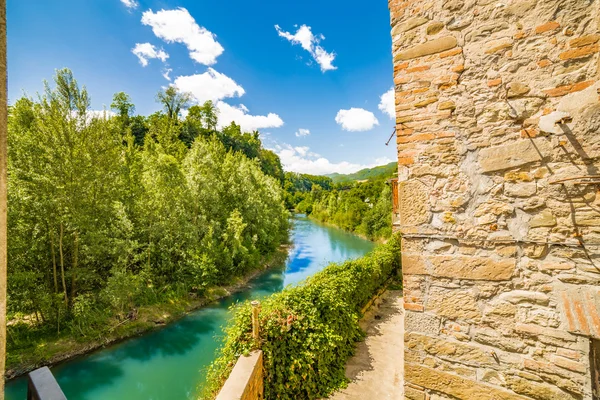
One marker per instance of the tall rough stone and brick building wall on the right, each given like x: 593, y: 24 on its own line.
x: 498, y: 110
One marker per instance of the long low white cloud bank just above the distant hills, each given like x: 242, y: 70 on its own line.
x: 302, y: 160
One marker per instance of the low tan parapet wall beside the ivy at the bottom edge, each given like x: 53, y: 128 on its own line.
x: 246, y: 381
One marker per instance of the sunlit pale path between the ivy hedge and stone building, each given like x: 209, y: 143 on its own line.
x: 377, y: 368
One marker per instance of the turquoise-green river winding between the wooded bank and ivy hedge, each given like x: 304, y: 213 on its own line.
x: 170, y: 363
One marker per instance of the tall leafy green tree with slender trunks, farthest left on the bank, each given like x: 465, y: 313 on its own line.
x: 65, y: 176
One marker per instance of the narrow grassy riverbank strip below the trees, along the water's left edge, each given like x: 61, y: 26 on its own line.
x: 54, y: 351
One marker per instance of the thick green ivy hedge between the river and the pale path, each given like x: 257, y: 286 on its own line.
x: 308, y: 331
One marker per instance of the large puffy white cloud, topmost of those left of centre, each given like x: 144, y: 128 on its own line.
x: 179, y: 26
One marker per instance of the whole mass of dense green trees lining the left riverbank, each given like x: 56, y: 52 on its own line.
x: 110, y: 212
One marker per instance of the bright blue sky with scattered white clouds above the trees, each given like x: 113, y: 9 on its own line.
x: 308, y: 74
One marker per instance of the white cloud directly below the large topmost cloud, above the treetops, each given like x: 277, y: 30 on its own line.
x: 210, y: 85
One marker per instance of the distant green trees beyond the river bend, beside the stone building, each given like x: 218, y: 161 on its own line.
x: 364, y: 208
